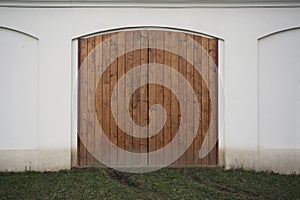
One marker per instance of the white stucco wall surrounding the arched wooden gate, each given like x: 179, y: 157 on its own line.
x: 244, y: 68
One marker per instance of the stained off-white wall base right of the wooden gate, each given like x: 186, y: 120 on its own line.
x: 284, y: 161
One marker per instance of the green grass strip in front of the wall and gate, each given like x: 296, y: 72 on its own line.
x: 167, y: 183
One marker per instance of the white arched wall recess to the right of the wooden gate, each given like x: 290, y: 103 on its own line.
x: 279, y: 89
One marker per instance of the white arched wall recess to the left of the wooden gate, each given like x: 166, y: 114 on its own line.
x: 19, y: 89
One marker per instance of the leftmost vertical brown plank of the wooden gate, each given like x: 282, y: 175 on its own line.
x: 82, y: 102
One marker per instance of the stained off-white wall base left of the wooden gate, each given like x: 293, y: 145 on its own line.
x: 34, y: 160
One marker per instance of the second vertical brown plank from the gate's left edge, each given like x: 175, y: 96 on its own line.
x: 91, y: 101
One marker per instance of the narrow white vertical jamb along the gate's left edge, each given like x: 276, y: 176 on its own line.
x: 74, y: 103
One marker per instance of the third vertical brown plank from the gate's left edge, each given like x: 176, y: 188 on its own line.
x: 99, y: 112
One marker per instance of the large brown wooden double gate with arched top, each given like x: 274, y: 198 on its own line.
x: 108, y: 58
